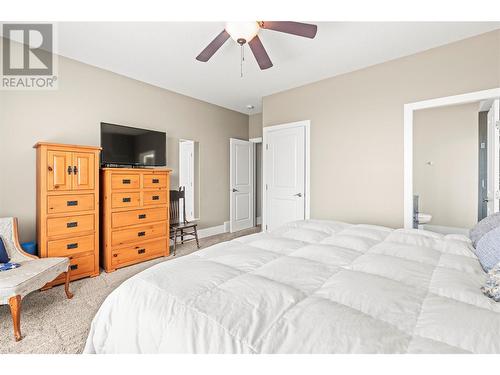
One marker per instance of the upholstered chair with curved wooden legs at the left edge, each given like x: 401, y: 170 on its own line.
x: 33, y: 274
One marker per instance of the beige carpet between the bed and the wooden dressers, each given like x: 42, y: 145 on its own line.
x: 50, y: 323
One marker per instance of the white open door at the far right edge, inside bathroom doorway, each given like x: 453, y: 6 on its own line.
x: 493, y: 158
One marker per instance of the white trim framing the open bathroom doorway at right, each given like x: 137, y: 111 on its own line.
x: 408, y: 137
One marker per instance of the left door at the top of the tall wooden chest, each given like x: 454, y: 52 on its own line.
x: 59, y: 165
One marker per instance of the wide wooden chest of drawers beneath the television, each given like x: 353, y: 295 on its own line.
x: 134, y: 223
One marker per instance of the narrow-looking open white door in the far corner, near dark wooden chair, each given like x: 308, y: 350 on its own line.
x: 241, y: 185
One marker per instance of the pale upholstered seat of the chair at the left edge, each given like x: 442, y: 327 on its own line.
x: 32, y: 275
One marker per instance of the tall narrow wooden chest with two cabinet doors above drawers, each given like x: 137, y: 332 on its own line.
x: 68, y: 206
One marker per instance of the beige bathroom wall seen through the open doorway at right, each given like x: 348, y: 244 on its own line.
x: 448, y: 138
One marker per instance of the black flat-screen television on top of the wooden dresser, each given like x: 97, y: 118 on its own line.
x: 123, y: 145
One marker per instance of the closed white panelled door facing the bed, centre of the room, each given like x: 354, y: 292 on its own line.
x: 285, y: 175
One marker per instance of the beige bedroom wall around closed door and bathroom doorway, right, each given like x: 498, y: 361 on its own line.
x: 357, y: 124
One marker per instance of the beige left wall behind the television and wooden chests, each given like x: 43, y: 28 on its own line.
x: 72, y: 114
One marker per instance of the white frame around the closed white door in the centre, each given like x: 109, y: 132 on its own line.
x: 306, y: 124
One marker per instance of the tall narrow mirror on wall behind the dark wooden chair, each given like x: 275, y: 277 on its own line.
x: 186, y: 175
